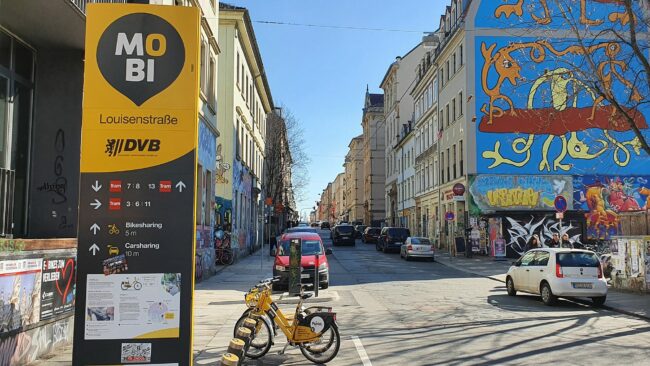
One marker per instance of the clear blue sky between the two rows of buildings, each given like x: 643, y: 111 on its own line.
x: 321, y: 74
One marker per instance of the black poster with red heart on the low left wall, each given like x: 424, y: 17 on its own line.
x: 58, y: 286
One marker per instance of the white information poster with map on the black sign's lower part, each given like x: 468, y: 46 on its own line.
x: 129, y: 306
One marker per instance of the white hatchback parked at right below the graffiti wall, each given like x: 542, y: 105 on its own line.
x: 558, y: 272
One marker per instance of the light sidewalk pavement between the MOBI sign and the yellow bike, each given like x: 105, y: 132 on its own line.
x: 218, y: 303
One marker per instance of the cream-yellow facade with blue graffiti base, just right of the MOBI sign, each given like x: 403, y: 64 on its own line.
x: 244, y: 101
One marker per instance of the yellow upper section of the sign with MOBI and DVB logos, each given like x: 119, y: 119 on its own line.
x: 140, y: 88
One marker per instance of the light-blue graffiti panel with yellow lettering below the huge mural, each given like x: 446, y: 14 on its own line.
x: 518, y: 192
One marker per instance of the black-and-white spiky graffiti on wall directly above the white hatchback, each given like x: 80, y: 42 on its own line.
x: 518, y: 230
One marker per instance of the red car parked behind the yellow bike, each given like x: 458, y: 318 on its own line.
x: 311, y: 246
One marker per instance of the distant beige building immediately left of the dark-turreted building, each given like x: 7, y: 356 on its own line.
x: 354, y: 181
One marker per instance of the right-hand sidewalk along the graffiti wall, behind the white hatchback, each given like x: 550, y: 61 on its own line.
x: 633, y: 304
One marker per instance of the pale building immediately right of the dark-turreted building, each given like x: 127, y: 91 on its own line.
x: 399, y: 190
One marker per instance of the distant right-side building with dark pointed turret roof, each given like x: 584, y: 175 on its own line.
x: 374, y: 146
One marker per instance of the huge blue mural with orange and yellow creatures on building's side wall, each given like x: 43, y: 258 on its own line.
x: 535, y: 115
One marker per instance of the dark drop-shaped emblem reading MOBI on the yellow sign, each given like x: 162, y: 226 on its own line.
x: 140, y: 55
